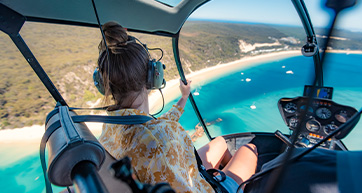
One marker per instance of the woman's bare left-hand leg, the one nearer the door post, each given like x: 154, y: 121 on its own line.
x: 214, y: 153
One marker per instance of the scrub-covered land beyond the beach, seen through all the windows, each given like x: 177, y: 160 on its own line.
x: 69, y: 54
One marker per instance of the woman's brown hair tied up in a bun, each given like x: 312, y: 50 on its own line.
x: 124, y: 73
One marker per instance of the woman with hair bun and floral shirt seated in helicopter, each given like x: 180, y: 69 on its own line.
x: 160, y: 150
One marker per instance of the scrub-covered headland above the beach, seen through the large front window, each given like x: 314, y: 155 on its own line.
x: 204, y: 44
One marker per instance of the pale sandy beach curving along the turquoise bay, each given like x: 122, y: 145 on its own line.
x: 19, y: 143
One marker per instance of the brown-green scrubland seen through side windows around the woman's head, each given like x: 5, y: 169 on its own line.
x: 68, y: 54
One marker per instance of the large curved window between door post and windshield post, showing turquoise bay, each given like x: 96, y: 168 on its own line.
x: 242, y: 64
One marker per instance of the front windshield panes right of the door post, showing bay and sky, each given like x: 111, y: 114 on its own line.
x: 243, y: 59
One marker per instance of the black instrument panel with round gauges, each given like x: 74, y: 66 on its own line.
x: 322, y: 117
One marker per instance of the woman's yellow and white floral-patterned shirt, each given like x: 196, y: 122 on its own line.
x: 160, y: 150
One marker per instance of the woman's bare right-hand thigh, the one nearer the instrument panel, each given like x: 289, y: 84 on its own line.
x: 243, y: 164
